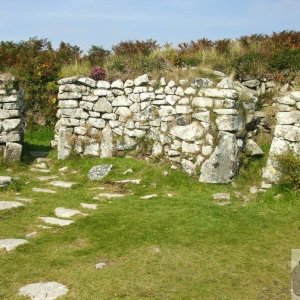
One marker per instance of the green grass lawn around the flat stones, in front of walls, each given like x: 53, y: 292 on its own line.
x: 206, y: 252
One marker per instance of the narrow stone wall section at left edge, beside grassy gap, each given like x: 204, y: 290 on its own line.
x: 11, y: 119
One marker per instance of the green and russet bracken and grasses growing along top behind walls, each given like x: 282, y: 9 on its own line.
x: 38, y: 66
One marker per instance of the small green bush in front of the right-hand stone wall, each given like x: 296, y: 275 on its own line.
x: 289, y: 167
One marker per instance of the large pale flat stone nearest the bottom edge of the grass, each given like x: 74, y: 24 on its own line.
x: 43, y: 290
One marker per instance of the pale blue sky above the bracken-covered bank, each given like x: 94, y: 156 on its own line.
x: 100, y: 22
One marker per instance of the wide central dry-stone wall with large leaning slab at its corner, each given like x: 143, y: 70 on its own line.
x: 199, y: 126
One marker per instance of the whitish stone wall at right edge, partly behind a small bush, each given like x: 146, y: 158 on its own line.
x: 286, y: 135
